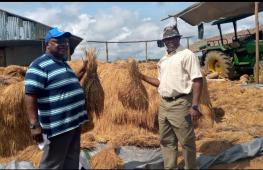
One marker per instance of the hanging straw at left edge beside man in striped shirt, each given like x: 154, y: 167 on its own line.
x: 14, y: 133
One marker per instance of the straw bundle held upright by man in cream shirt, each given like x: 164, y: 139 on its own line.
x: 133, y: 93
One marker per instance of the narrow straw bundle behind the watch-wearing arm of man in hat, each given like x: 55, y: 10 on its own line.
x: 205, y: 107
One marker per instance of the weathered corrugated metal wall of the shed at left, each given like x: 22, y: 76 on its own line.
x: 15, y: 28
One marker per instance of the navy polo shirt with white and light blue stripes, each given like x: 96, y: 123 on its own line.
x: 61, y: 101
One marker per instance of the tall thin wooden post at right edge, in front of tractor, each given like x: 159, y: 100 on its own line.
x: 257, y: 42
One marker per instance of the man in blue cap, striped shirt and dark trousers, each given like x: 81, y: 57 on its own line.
x: 55, y: 103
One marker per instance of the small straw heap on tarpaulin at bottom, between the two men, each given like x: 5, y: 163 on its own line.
x: 107, y: 159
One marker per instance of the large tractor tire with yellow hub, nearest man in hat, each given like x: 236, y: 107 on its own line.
x: 220, y: 63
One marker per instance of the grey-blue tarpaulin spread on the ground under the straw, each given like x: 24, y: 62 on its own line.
x: 137, y: 158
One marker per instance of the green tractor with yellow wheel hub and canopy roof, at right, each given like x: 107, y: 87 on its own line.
x: 232, y: 59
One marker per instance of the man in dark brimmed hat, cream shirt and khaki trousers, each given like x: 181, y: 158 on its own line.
x: 179, y: 85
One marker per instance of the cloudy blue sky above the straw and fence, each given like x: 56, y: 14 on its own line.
x: 117, y: 21
